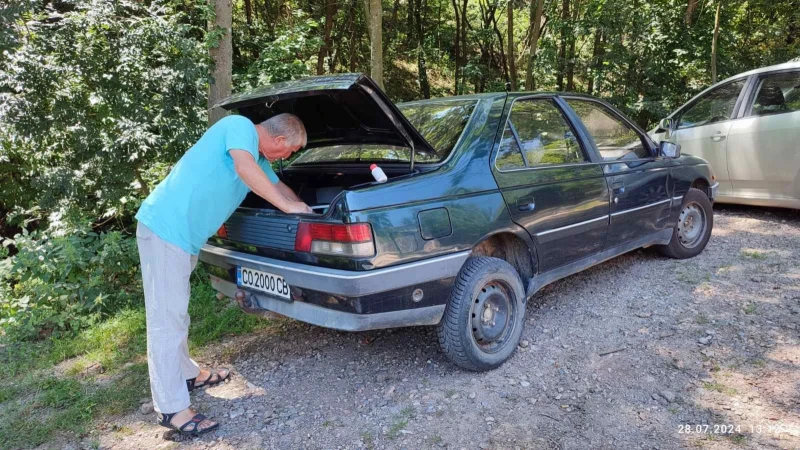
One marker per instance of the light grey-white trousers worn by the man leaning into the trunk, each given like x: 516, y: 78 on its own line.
x: 165, y: 275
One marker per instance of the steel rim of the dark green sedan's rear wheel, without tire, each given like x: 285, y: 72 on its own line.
x: 492, y: 316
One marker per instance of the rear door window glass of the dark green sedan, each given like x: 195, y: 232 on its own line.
x: 537, y: 134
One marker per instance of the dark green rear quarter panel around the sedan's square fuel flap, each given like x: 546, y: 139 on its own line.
x: 463, y: 185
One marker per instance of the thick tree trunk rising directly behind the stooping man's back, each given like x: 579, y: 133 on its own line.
x: 219, y: 86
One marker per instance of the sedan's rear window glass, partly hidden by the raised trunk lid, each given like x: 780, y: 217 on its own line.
x: 439, y: 122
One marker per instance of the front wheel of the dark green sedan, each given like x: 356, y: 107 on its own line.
x: 695, y: 205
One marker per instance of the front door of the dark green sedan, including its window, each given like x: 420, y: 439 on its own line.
x: 638, y: 180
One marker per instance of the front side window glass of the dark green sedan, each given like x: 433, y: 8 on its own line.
x: 614, y: 138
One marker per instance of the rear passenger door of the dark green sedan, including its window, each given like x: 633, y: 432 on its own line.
x: 550, y: 183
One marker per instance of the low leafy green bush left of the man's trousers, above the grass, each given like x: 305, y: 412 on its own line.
x: 59, y: 284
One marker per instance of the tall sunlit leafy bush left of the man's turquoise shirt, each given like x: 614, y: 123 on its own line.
x: 90, y: 99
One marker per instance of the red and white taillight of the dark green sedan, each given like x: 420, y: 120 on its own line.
x: 335, y: 239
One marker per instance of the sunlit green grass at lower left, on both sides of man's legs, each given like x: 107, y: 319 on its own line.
x: 38, y: 403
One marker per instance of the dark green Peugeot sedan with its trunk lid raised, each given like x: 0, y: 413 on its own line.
x: 489, y: 198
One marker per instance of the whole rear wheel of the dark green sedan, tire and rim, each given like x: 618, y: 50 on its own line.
x: 483, y: 284
